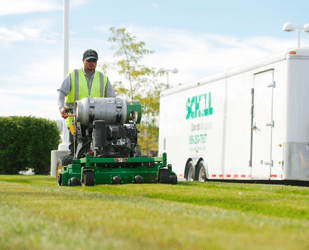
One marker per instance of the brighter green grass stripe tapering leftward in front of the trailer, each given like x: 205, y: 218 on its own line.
x: 270, y: 200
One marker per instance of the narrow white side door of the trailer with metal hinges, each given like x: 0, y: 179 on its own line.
x: 262, y: 124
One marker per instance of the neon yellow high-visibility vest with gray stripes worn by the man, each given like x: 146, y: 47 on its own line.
x: 79, y: 89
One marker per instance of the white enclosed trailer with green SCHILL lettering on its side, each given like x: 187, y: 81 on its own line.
x: 248, y: 123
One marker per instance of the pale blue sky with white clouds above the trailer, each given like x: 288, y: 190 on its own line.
x: 199, y: 38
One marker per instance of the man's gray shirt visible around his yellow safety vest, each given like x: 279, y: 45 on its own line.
x: 66, y: 87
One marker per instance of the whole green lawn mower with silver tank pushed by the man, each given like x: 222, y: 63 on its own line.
x: 105, y: 137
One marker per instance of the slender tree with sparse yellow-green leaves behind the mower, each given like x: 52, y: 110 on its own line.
x: 142, y: 81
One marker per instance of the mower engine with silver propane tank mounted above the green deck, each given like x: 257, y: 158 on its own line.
x: 106, y: 127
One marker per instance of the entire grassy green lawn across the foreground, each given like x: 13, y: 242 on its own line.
x: 37, y: 214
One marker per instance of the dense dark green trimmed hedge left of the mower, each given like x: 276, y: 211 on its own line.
x: 26, y: 142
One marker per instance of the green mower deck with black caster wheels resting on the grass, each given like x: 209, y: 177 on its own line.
x: 93, y: 170
